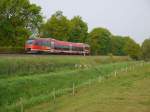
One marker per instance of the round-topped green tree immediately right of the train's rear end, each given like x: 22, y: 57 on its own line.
x: 99, y: 39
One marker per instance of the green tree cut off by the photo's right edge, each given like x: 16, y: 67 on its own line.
x: 146, y: 49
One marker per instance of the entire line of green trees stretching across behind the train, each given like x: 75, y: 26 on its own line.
x: 19, y: 19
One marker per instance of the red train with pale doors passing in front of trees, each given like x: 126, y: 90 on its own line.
x: 54, y: 46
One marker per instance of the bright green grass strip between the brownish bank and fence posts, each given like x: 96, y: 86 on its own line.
x: 35, y: 89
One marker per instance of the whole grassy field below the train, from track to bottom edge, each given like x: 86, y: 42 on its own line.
x: 37, y: 83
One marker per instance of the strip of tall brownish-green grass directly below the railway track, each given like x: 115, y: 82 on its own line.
x: 37, y: 64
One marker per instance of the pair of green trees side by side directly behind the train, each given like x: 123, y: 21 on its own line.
x: 61, y: 28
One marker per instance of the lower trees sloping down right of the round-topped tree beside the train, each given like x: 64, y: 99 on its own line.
x: 125, y: 46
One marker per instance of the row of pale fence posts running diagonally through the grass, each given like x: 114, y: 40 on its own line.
x: 72, y: 90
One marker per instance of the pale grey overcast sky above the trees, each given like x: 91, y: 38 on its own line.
x: 121, y: 17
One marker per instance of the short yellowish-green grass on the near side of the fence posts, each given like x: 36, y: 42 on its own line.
x: 128, y: 92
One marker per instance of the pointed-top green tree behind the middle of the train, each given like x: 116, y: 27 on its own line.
x: 57, y: 27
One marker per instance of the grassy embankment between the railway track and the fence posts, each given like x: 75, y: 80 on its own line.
x: 33, y: 77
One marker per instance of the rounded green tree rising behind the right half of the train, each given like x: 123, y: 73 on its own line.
x: 78, y: 30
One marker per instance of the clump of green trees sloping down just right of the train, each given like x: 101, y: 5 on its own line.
x: 103, y: 42
